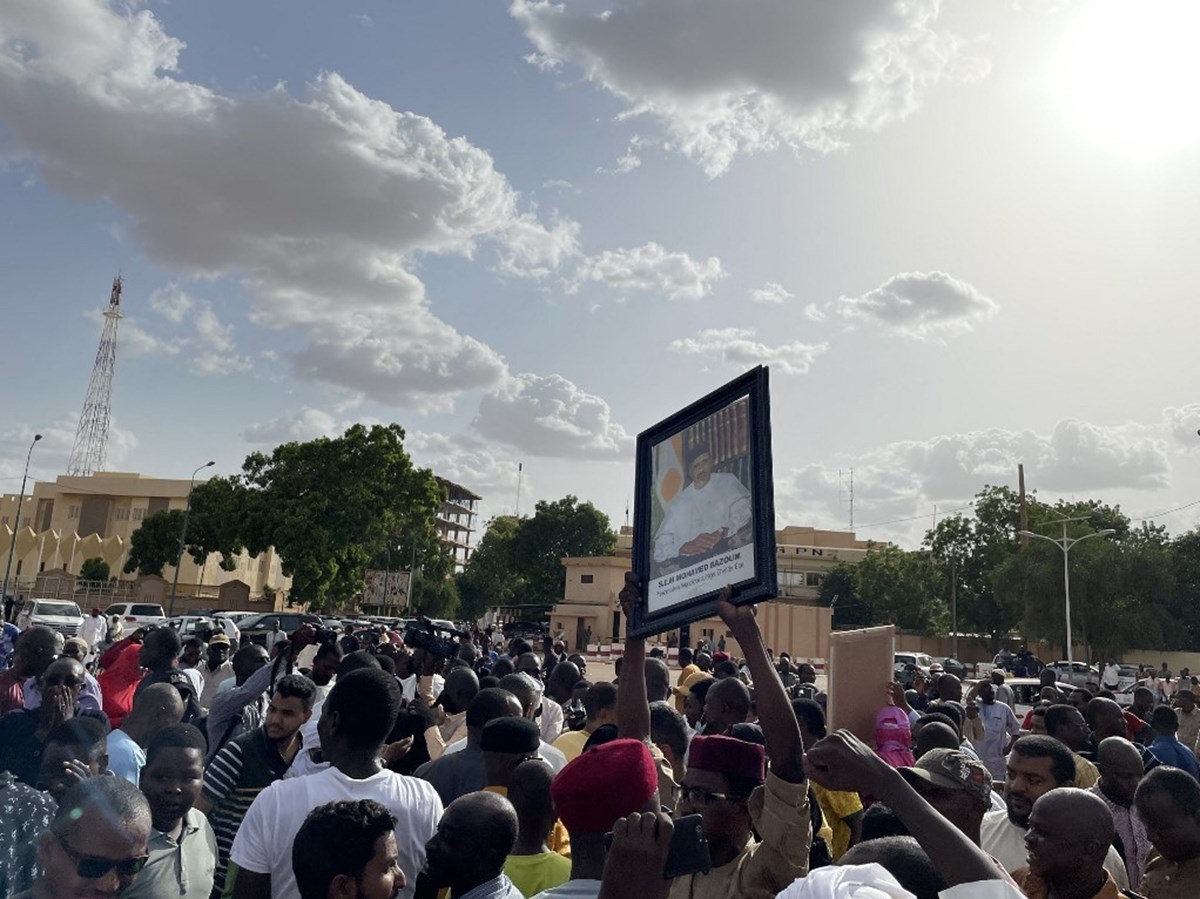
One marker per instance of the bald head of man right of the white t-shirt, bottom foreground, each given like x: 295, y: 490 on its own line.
x: 467, y: 853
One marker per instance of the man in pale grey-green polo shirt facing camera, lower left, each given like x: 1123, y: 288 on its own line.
x: 183, y: 848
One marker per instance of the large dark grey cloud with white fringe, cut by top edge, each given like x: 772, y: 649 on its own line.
x: 729, y: 79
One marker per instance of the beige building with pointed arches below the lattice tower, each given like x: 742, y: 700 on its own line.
x: 79, y: 518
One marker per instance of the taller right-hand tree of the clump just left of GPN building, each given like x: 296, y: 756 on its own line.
x: 557, y: 531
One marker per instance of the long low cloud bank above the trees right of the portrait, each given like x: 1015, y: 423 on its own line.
x: 908, y: 478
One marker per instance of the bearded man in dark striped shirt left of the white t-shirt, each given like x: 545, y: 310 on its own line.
x: 251, y: 763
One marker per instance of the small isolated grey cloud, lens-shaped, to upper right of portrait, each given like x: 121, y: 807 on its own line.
x: 921, y: 305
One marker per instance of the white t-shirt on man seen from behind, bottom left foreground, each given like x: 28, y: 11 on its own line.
x: 265, y: 841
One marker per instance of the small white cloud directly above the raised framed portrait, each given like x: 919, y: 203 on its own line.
x: 653, y: 269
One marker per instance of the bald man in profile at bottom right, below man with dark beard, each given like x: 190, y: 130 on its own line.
x: 1070, y: 837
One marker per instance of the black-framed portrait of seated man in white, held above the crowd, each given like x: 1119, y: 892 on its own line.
x: 704, y: 511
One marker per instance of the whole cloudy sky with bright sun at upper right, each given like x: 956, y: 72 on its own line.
x: 961, y: 236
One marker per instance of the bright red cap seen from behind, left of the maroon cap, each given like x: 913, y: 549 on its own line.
x: 604, y: 784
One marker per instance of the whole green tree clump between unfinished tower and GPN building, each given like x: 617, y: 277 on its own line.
x: 520, y: 562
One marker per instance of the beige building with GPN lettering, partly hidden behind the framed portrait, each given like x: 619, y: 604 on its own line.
x: 795, y: 624
